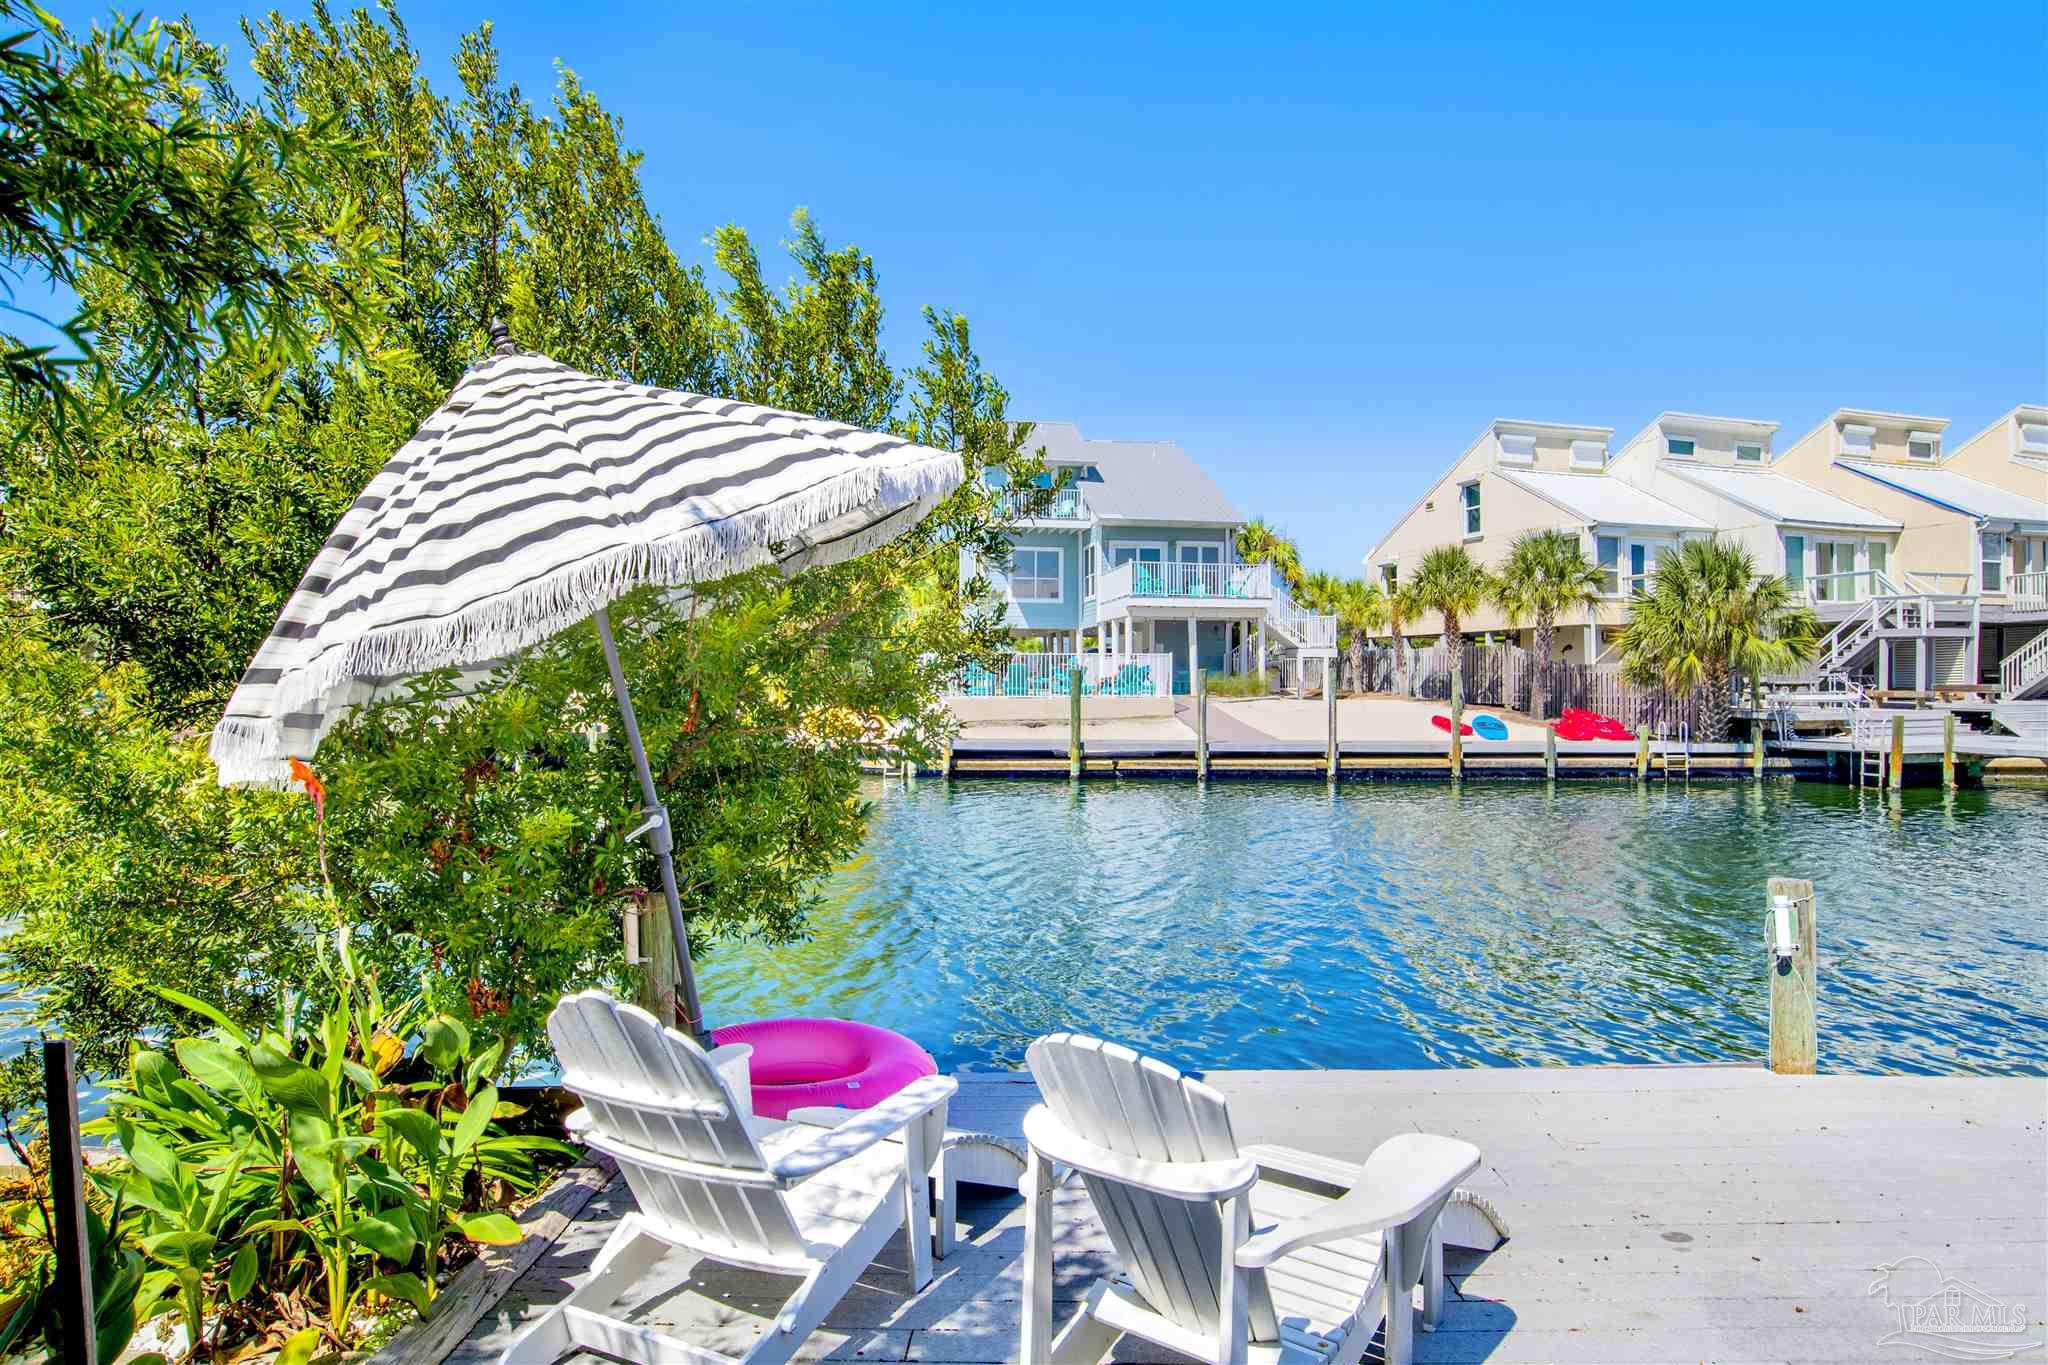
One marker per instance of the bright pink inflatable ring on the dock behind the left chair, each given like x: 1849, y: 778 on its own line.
x: 826, y: 1063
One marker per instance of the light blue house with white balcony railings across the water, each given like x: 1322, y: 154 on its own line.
x: 1138, y: 562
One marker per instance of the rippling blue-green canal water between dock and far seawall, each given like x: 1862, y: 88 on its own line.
x: 1422, y: 926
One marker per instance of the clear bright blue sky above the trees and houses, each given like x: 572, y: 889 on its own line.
x: 1322, y: 251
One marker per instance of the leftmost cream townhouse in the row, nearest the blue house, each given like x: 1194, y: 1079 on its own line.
x: 1539, y: 476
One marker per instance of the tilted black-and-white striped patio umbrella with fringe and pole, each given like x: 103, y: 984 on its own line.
x: 536, y: 498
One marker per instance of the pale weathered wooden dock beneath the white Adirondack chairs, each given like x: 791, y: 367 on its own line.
x: 1656, y: 1215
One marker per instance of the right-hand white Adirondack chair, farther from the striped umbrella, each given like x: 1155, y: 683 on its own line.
x: 1222, y: 1258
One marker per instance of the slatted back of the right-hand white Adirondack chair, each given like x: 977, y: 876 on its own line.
x: 1138, y: 1106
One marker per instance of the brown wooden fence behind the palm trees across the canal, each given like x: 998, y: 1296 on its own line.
x: 1506, y: 676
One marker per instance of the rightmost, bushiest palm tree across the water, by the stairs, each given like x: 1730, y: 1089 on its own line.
x: 1707, y: 617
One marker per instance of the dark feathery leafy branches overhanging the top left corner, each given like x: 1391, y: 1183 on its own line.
x: 124, y: 155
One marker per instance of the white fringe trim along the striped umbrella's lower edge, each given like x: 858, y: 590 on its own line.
x: 255, y: 752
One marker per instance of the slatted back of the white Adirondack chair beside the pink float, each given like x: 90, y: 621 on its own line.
x: 654, y: 1098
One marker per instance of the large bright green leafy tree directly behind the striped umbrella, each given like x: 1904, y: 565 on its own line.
x: 476, y: 848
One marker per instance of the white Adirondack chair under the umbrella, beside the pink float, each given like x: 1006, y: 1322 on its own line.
x: 710, y: 1180
